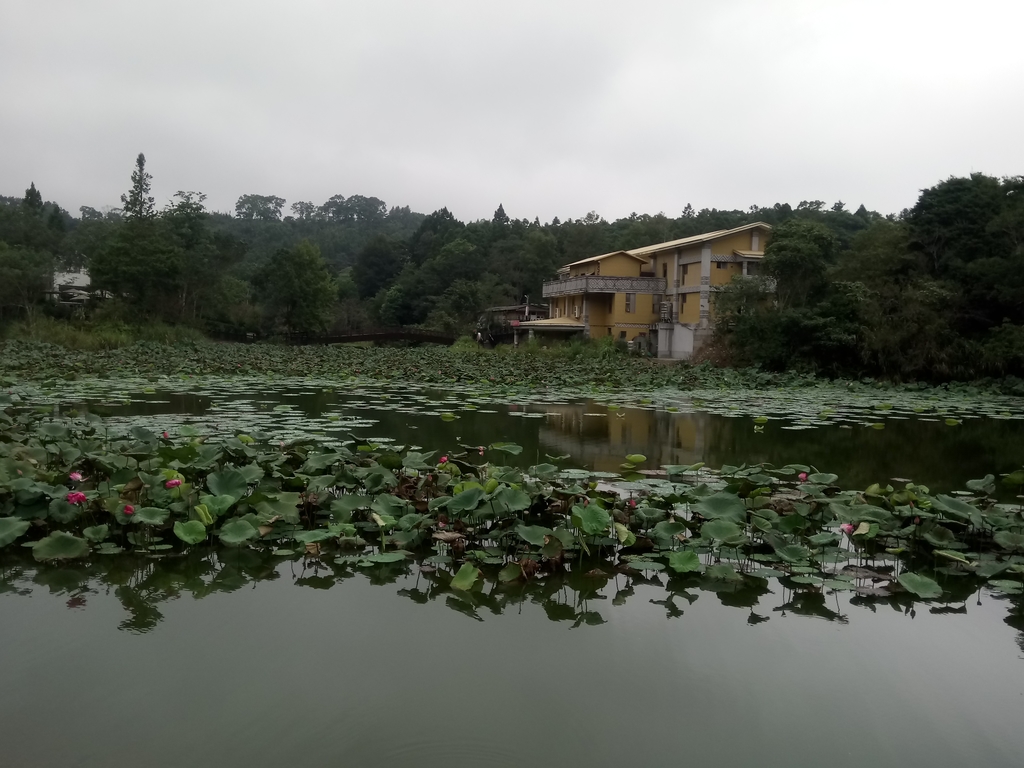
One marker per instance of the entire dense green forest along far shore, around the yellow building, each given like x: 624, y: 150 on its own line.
x: 936, y: 292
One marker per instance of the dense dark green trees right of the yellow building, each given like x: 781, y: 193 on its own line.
x: 938, y: 294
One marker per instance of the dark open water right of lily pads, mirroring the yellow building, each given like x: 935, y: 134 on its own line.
x: 928, y: 452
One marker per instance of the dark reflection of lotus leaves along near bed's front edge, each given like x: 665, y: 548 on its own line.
x: 144, y: 585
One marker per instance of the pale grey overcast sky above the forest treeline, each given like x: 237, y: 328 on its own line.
x: 553, y: 108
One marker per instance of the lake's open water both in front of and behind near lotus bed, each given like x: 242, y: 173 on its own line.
x: 241, y: 658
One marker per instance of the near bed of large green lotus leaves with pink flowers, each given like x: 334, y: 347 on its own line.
x: 73, y: 488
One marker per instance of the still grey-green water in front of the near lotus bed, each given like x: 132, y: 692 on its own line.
x: 241, y: 662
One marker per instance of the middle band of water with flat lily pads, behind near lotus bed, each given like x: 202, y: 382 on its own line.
x: 863, y: 437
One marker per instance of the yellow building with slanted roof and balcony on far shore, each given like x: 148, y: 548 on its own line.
x: 661, y: 292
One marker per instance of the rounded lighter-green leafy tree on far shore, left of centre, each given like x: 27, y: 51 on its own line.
x: 297, y: 290
